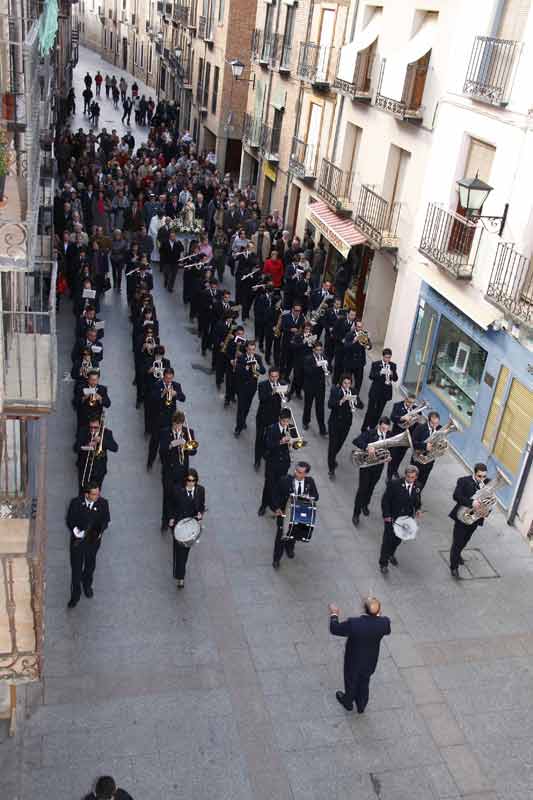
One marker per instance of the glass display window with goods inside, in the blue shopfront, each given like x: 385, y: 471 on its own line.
x: 456, y: 371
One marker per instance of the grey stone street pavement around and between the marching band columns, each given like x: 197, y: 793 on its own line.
x: 226, y: 689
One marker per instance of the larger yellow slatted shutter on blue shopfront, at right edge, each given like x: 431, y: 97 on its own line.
x: 513, y: 434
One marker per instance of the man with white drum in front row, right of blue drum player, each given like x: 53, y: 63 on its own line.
x: 401, y: 499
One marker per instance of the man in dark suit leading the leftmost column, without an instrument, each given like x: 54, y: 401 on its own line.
x: 87, y: 518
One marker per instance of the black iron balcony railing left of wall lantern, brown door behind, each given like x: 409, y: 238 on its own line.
x: 450, y: 241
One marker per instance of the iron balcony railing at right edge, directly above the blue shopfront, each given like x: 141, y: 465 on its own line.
x: 511, y: 284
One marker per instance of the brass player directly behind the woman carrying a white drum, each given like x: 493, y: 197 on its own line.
x: 174, y: 459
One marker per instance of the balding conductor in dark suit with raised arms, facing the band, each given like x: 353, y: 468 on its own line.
x: 364, y: 635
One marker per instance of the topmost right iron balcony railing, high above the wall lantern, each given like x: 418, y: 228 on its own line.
x: 491, y: 69
